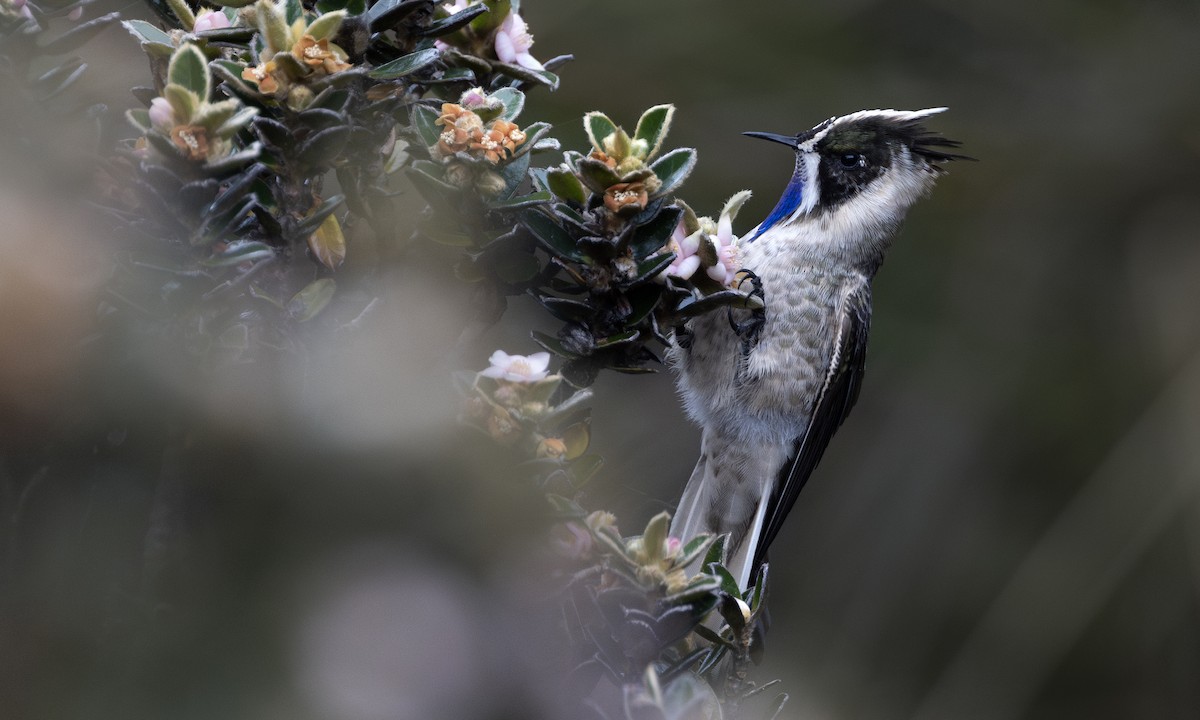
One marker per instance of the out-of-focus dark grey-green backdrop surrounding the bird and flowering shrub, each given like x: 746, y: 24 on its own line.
x: 1007, y: 527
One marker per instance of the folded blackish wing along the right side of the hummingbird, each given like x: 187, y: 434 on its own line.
x: 838, y: 395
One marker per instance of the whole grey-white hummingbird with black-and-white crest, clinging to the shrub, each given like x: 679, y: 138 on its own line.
x: 770, y: 388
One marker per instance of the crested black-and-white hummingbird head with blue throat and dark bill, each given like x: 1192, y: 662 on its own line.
x: 872, y: 165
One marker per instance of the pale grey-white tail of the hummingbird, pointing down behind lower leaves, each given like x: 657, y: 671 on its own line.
x: 729, y: 494
